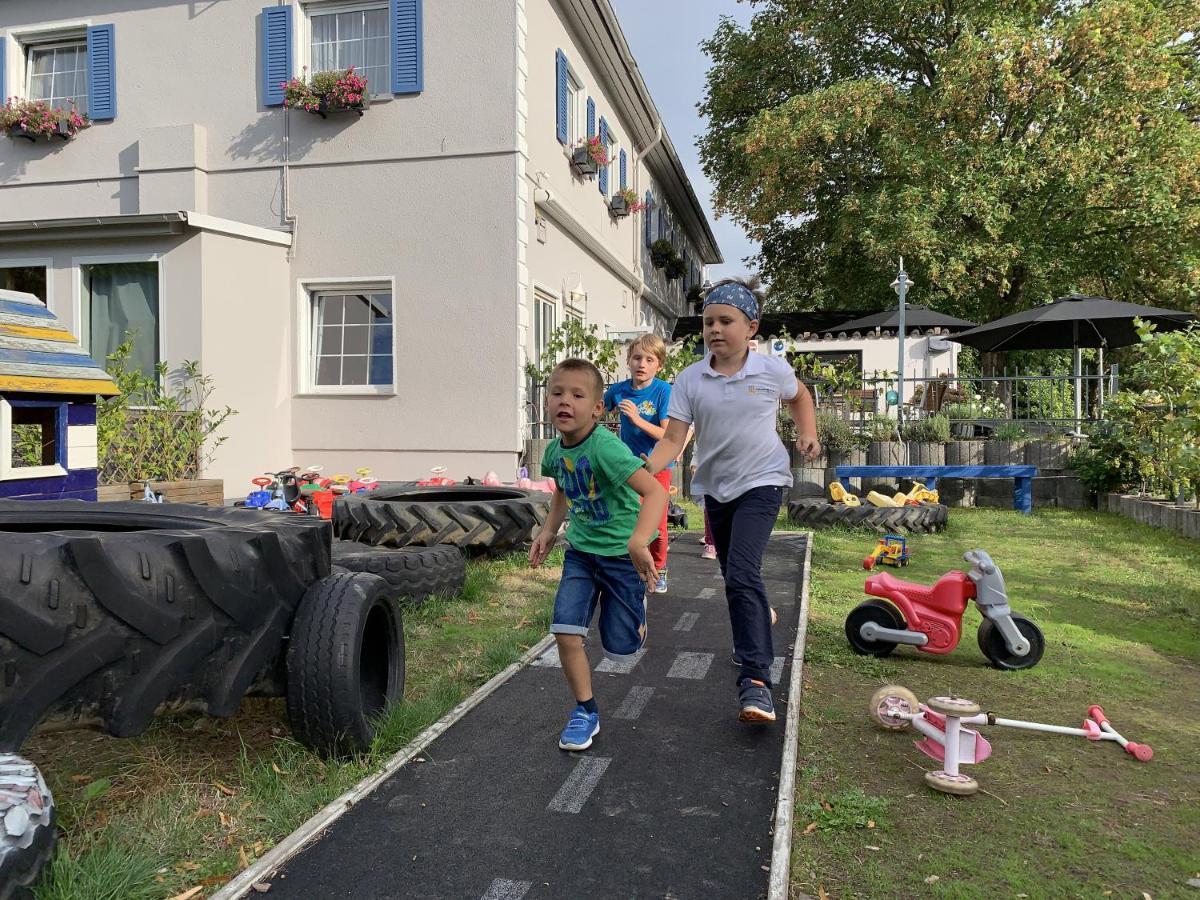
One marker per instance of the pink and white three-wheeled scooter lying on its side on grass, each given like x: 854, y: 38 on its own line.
x: 943, y: 722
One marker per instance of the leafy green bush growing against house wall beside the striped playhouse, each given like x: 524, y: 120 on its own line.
x: 158, y: 429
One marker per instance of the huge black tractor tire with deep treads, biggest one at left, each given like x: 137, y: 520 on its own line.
x: 111, y: 611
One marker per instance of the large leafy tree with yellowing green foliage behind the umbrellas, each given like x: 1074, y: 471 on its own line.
x: 1011, y: 152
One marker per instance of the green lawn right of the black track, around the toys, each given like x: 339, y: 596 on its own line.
x: 1120, y: 608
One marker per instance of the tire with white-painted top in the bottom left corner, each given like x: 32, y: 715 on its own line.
x: 23, y: 856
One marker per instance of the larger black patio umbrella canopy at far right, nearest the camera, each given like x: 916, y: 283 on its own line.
x: 1071, y: 323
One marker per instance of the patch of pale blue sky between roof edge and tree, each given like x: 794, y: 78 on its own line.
x: 665, y: 38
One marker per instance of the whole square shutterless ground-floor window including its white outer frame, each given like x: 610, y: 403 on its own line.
x: 350, y: 338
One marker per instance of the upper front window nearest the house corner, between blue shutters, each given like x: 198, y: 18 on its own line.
x: 358, y: 38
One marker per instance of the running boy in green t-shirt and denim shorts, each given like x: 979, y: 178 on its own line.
x: 609, y: 562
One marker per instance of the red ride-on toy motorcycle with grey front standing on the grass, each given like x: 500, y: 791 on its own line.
x: 931, y: 619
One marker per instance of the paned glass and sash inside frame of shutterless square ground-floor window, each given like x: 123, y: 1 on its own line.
x: 352, y: 339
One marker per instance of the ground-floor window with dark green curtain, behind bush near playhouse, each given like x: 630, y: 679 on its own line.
x: 121, y: 302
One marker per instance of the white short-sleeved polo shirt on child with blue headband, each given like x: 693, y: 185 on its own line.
x: 737, y: 436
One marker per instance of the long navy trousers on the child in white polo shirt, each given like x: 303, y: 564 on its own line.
x: 741, y: 530
